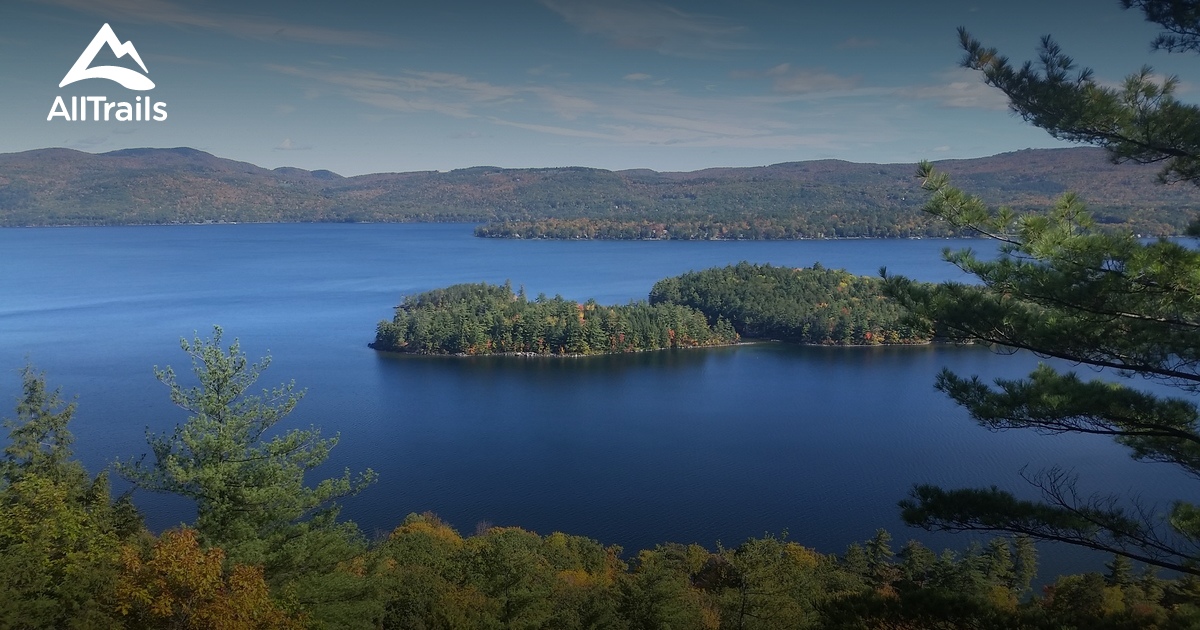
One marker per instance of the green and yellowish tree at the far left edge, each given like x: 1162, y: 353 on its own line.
x: 61, y: 533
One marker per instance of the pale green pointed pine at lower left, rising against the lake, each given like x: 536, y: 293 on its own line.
x: 247, y: 485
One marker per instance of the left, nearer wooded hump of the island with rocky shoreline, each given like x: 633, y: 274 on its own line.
x: 489, y: 320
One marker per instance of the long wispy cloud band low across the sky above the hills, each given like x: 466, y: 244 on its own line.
x: 638, y: 113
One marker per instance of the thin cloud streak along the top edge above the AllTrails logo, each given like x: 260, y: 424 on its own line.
x: 241, y: 26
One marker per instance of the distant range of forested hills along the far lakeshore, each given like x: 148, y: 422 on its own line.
x: 817, y: 199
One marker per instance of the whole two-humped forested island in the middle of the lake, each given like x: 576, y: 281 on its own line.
x: 717, y: 307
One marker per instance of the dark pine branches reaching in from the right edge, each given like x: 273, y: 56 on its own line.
x: 1063, y: 289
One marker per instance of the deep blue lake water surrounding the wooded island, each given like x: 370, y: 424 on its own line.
x: 691, y: 447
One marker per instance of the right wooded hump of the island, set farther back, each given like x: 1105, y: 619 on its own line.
x: 815, y: 305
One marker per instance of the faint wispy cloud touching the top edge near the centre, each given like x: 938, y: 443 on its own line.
x: 653, y: 27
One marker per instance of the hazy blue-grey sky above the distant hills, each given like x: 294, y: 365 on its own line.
x: 358, y: 87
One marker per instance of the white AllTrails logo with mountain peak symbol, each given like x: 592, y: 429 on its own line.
x: 142, y: 109
